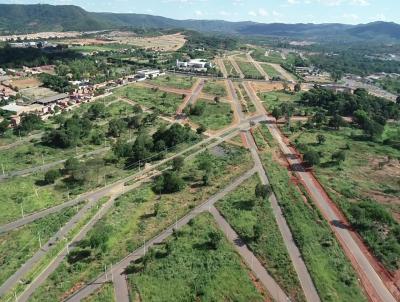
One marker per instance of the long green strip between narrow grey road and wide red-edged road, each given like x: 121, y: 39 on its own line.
x: 329, y: 268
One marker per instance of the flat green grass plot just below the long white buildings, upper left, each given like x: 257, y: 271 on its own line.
x: 167, y: 103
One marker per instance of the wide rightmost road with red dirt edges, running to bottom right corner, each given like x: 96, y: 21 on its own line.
x: 372, y: 282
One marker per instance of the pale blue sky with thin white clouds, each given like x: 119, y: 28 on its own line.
x: 266, y: 11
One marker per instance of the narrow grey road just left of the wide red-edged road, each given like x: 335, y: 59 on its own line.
x: 304, y: 277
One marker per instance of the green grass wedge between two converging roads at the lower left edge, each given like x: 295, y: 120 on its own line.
x: 19, y: 245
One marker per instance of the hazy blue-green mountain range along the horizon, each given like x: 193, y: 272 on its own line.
x: 16, y: 18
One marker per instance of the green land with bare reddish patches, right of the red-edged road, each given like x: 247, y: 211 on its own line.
x: 366, y: 183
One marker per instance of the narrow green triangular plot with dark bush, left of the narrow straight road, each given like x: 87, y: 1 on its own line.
x: 246, y: 213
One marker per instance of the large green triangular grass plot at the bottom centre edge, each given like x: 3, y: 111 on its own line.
x: 188, y: 268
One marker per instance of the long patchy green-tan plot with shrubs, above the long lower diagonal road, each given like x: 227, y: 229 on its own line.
x: 139, y: 215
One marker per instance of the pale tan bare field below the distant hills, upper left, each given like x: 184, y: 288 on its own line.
x: 162, y: 43
